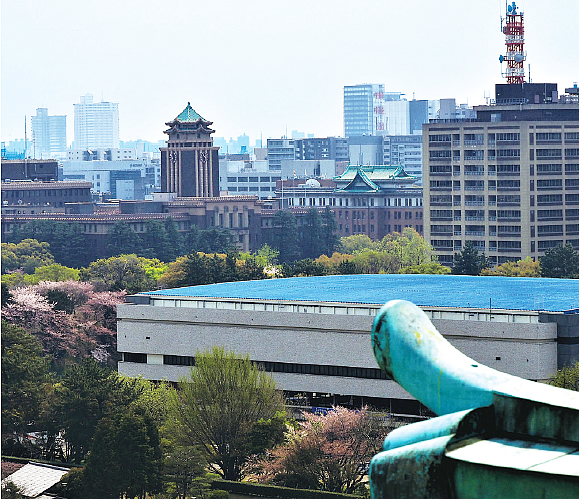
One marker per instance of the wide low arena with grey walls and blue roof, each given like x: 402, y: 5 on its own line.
x: 313, y: 333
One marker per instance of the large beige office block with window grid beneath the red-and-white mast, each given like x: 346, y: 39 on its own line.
x: 508, y: 181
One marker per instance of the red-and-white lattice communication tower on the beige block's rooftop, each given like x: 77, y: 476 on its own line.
x: 514, y: 31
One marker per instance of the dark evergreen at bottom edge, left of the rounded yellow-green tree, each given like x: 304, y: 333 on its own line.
x: 125, y: 458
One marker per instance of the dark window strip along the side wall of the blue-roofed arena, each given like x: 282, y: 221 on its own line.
x: 274, y: 367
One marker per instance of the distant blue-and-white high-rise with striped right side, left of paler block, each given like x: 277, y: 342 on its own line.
x: 364, y: 110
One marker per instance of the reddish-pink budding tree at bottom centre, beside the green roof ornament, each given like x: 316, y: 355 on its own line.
x: 329, y: 452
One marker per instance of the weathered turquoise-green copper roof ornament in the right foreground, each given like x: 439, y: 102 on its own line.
x: 497, y: 435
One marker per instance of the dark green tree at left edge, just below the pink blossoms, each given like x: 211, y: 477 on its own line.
x: 24, y: 376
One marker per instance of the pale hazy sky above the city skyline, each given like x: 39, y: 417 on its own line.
x: 261, y: 67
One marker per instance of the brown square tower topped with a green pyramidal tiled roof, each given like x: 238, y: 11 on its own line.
x: 190, y: 162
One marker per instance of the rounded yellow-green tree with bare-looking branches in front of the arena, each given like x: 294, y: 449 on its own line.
x: 219, y: 407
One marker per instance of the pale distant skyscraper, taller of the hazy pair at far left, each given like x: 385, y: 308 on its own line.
x: 96, y: 124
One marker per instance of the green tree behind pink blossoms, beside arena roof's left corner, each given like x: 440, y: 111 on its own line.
x: 124, y: 272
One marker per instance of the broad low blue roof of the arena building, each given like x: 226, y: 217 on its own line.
x: 511, y: 293
